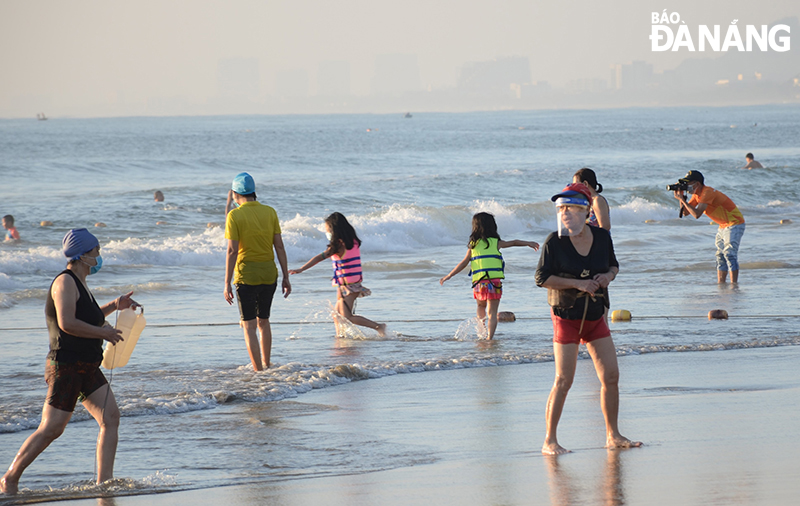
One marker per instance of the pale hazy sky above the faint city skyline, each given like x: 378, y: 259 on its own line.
x: 82, y: 53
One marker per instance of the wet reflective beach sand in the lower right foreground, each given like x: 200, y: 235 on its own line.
x: 719, y: 427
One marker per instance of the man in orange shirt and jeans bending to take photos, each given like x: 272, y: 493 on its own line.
x: 717, y: 206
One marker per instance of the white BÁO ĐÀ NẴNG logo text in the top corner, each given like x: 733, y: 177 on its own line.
x: 670, y: 33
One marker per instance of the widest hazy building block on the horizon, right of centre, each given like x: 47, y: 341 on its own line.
x: 499, y: 76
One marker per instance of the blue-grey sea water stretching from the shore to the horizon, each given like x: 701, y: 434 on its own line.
x: 409, y: 187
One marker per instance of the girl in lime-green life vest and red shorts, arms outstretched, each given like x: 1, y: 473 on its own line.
x: 486, y: 267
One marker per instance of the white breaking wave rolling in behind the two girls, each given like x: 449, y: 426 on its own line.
x: 395, y: 228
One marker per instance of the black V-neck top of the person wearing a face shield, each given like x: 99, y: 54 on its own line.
x: 560, y: 257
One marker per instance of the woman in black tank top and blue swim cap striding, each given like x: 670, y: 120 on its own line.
x: 77, y: 328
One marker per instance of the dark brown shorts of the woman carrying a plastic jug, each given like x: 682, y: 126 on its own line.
x: 70, y: 382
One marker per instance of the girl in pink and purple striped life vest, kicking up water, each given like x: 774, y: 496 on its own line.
x: 344, y: 249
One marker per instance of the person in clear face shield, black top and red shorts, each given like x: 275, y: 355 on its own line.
x: 576, y: 266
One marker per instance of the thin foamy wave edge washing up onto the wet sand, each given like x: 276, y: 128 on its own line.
x: 211, y: 388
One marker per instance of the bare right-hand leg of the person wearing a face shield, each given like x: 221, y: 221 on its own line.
x: 604, y: 356
